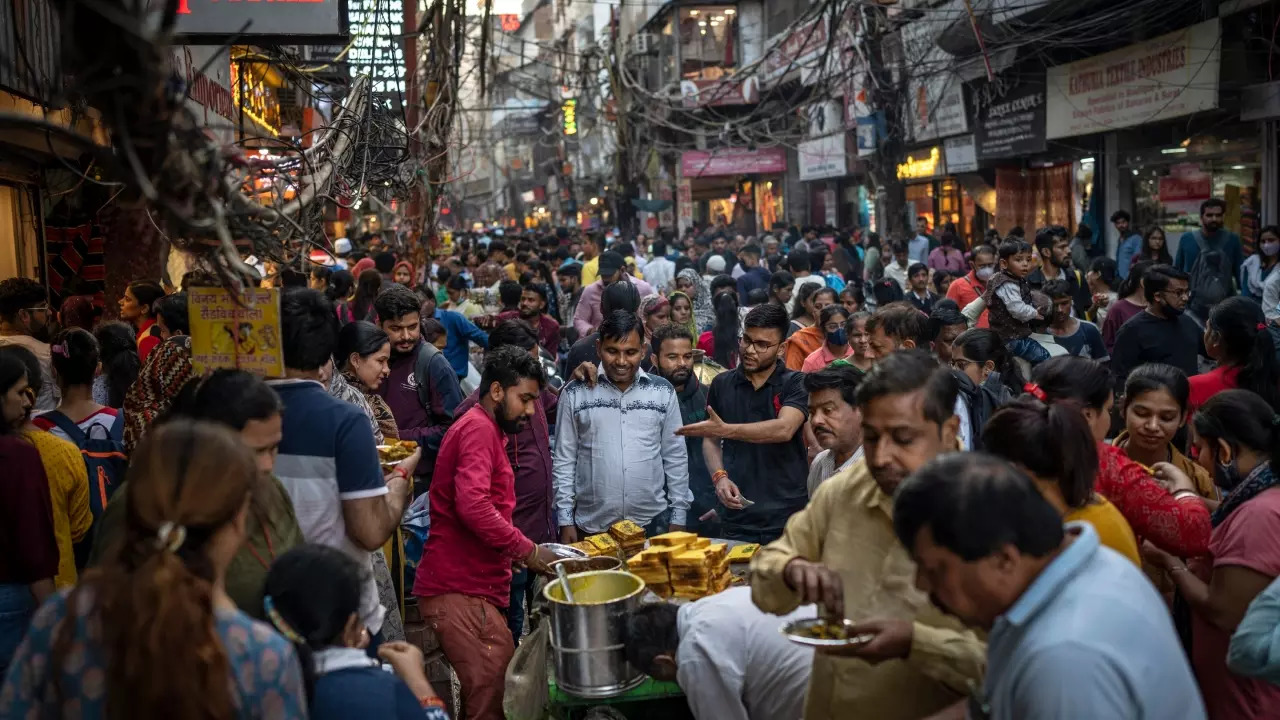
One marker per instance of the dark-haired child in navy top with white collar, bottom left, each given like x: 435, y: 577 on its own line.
x: 313, y: 599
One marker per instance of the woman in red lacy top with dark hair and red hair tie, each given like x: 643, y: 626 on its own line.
x: 1176, y: 521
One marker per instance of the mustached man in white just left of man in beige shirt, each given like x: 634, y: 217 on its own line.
x: 835, y: 421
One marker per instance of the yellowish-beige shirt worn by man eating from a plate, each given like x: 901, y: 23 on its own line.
x: 848, y: 527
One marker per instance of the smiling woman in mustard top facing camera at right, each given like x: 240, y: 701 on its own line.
x: 1155, y: 409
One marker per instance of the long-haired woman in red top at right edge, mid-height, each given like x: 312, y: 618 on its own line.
x: 1237, y: 338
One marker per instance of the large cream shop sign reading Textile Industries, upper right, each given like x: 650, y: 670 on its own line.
x: 1165, y: 78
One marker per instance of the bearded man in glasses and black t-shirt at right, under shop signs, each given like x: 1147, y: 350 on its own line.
x: 1162, y: 334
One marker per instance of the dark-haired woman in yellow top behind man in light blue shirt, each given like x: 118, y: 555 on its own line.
x: 1054, y: 445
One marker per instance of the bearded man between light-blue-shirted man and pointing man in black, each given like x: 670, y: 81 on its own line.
x: 674, y: 359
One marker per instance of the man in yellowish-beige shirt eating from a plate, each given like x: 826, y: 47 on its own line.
x: 842, y: 552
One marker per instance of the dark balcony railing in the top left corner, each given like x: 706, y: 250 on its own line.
x: 30, y: 49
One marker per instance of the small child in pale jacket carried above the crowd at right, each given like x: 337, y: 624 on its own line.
x: 1009, y: 300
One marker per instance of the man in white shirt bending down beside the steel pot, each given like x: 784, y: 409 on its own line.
x: 729, y: 658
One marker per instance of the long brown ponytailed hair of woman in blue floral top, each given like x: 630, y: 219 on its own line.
x: 154, y: 599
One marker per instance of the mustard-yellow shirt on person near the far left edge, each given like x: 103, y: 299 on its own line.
x: 68, y: 487
